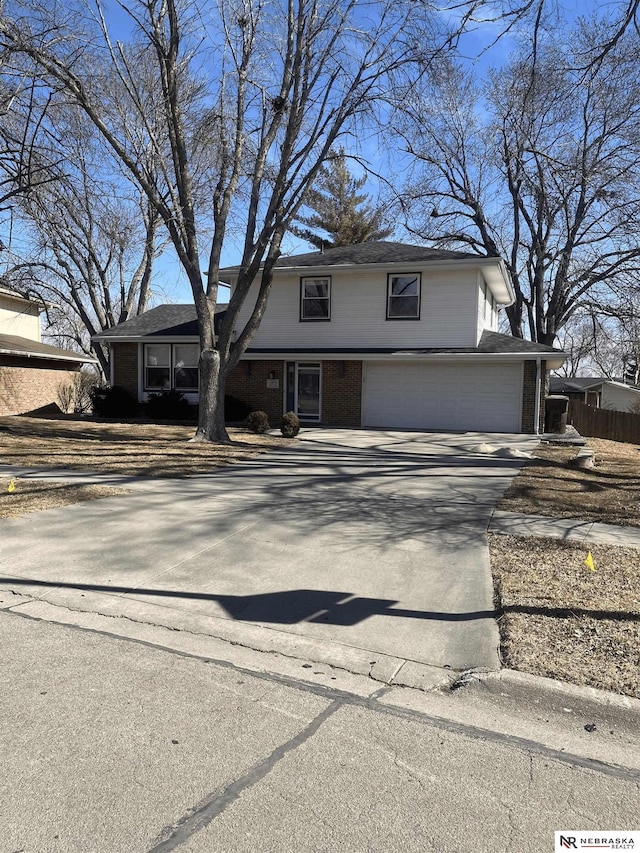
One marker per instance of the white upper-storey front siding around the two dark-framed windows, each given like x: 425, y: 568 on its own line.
x: 448, y: 315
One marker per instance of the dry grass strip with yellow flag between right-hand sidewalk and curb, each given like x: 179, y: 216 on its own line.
x: 561, y: 620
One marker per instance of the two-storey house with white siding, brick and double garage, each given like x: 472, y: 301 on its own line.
x: 373, y: 335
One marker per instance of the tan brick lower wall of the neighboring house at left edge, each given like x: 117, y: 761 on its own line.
x: 27, y: 384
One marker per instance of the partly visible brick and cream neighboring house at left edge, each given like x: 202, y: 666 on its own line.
x: 31, y: 372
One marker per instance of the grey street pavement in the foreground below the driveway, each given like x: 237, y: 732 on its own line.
x: 111, y: 745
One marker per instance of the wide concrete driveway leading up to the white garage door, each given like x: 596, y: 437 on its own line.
x: 366, y: 542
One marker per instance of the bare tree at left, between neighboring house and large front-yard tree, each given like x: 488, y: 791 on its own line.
x: 93, y: 250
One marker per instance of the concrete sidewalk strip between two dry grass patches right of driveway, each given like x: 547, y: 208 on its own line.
x: 569, y: 529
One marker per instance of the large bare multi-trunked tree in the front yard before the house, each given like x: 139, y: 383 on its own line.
x: 261, y: 90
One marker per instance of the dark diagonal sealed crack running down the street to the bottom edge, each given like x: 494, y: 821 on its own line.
x: 216, y: 803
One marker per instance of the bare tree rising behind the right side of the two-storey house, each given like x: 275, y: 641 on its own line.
x: 542, y: 170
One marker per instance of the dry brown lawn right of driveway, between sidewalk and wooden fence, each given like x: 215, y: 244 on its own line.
x: 609, y: 493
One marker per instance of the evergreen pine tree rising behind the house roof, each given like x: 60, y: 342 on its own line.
x: 339, y: 211
